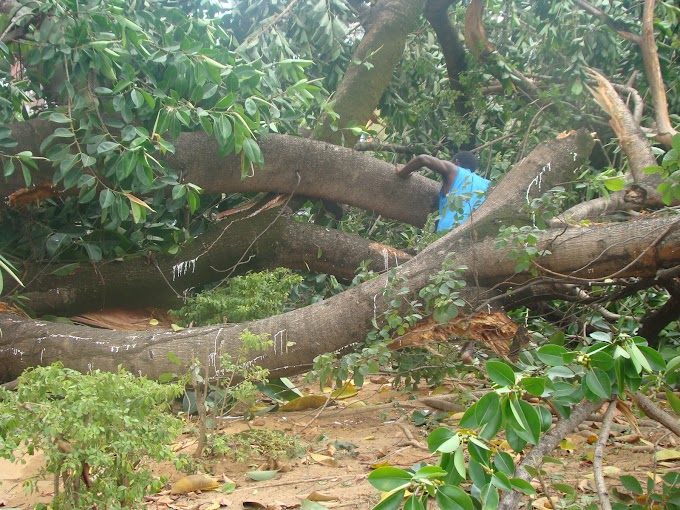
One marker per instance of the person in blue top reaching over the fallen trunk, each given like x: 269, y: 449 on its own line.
x: 458, y: 179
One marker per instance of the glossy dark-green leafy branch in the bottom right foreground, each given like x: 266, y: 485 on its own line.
x: 602, y: 369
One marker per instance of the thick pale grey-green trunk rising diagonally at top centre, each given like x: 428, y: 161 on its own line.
x: 362, y: 86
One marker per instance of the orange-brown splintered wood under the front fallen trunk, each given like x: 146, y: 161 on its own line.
x: 496, y: 331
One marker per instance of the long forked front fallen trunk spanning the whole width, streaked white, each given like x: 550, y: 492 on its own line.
x: 643, y: 248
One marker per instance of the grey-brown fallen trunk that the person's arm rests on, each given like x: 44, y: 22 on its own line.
x: 292, y: 164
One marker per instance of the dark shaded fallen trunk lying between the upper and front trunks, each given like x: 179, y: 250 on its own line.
x: 251, y: 243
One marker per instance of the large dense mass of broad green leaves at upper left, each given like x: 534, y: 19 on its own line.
x: 121, y: 81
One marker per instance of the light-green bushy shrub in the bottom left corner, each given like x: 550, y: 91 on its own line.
x: 97, y: 431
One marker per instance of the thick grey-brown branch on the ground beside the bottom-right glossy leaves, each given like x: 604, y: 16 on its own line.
x: 547, y: 444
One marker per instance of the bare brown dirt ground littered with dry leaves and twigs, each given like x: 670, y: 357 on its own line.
x: 345, y: 440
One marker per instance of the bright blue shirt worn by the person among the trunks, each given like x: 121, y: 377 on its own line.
x: 468, y: 183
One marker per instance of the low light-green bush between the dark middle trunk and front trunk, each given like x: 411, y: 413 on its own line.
x: 242, y: 298
